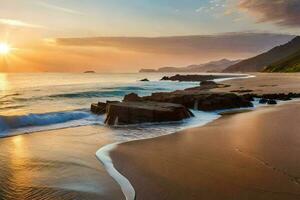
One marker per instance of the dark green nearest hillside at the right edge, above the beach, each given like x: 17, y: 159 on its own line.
x: 288, y: 64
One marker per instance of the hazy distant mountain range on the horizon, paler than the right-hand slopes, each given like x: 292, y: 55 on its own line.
x: 213, y: 66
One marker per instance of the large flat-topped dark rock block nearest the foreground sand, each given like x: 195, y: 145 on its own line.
x: 144, y: 112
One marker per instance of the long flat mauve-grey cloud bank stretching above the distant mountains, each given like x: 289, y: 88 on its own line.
x: 235, y: 43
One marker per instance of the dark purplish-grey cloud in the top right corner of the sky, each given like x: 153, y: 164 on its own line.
x: 281, y: 12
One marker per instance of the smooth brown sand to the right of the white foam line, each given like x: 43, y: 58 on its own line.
x: 253, y: 155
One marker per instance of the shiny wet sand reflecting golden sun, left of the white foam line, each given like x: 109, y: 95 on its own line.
x: 59, y: 164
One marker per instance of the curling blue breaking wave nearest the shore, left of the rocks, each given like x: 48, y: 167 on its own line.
x: 22, y: 121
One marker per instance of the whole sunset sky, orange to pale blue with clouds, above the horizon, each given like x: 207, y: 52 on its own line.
x: 126, y: 35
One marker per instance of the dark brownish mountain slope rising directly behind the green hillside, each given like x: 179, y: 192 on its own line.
x: 259, y: 62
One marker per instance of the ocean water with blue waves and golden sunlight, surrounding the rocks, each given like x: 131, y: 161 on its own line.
x: 46, y: 101
